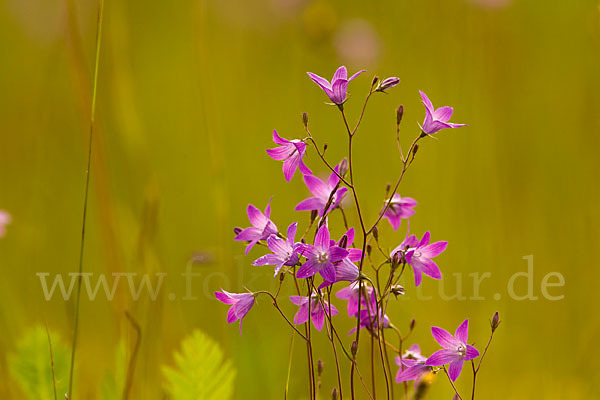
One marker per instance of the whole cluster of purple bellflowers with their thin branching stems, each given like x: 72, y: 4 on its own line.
x: 316, y: 263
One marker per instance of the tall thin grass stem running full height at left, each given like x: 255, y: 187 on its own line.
x: 85, y: 199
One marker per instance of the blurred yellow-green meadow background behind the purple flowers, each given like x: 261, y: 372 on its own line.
x: 188, y: 95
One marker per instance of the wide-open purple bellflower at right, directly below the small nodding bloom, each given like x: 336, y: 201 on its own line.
x: 418, y: 254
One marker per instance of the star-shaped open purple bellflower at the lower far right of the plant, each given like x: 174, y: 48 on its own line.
x: 456, y: 350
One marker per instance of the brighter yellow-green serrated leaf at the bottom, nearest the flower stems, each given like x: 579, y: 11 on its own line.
x: 201, y: 371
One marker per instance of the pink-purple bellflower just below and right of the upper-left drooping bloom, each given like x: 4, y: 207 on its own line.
x: 321, y: 192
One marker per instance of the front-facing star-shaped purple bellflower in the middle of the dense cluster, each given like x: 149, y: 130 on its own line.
x: 320, y: 257
